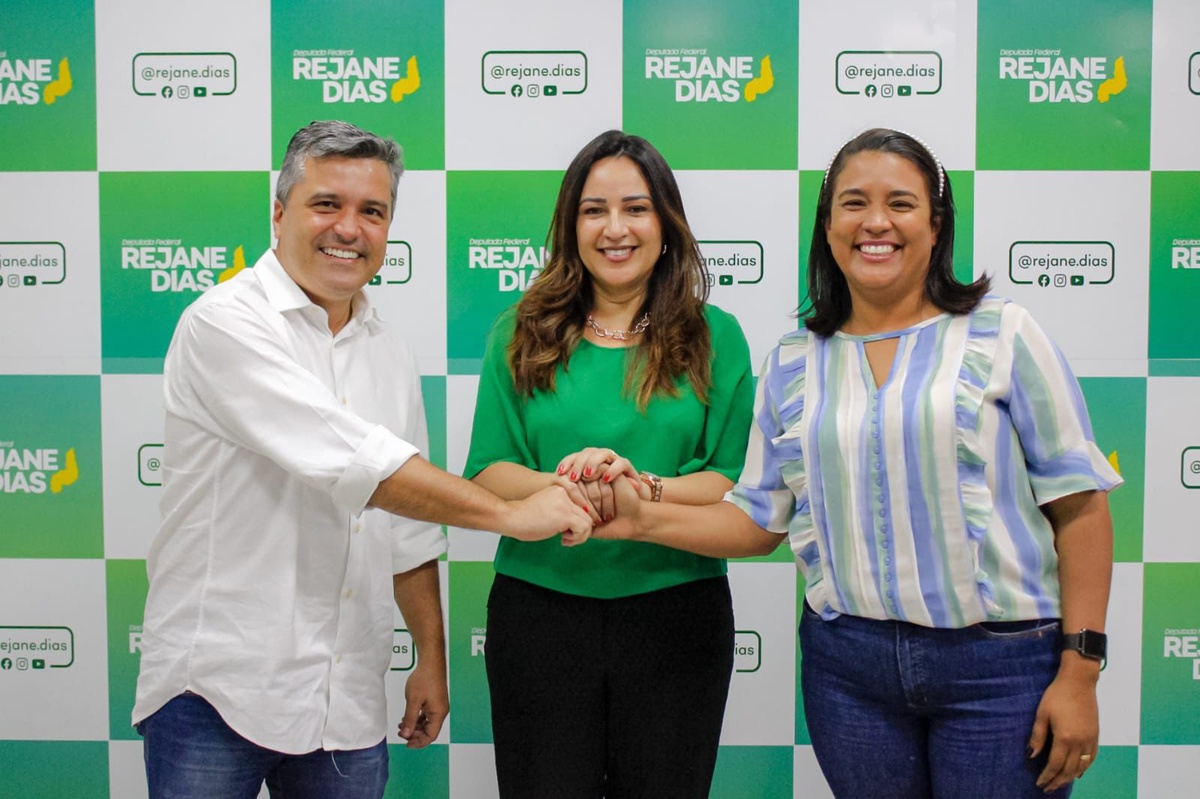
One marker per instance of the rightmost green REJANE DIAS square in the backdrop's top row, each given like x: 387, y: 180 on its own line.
x: 1073, y: 77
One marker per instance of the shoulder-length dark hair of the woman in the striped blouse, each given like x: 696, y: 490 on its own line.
x: 830, y: 302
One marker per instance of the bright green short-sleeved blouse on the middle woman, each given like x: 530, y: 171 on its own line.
x: 675, y: 436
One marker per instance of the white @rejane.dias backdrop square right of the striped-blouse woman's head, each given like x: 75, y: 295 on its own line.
x: 1028, y: 224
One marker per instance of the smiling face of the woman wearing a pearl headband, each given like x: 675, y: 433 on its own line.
x: 880, y: 227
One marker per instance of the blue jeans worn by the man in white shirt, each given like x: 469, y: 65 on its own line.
x: 193, y: 754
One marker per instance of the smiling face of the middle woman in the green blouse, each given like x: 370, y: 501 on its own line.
x: 617, y: 229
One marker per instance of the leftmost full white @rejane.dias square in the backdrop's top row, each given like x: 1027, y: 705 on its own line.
x: 152, y: 115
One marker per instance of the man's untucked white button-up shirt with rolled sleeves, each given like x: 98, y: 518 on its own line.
x: 271, y: 584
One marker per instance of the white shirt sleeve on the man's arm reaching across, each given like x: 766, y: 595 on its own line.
x: 235, y: 375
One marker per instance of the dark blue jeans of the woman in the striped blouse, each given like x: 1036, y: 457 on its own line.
x: 907, y: 712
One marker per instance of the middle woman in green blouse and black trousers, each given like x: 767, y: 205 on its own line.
x: 609, y: 664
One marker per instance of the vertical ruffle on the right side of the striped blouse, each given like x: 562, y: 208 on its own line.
x: 979, y: 357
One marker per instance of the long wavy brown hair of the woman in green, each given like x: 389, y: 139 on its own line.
x: 554, y: 311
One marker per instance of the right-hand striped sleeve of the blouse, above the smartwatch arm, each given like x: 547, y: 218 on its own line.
x: 1051, y: 418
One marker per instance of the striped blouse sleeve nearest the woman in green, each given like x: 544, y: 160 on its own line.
x: 763, y: 491
